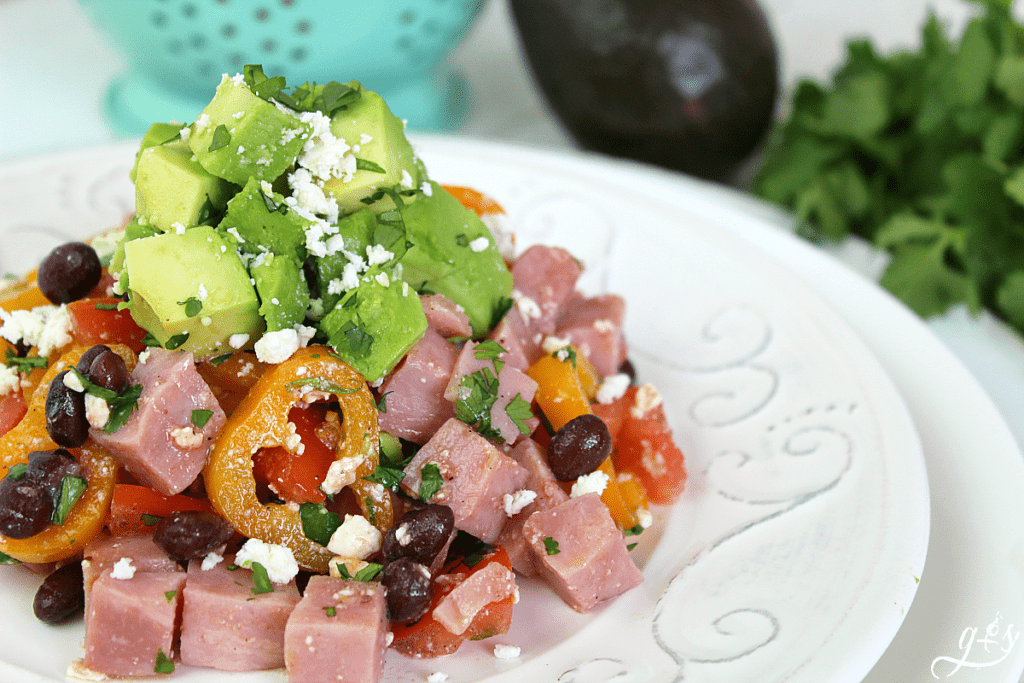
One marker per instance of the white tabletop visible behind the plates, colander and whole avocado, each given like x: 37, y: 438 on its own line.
x: 55, y: 68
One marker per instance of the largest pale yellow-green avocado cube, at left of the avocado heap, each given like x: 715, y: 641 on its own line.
x: 168, y: 274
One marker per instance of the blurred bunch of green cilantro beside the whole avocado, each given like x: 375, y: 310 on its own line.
x: 922, y: 153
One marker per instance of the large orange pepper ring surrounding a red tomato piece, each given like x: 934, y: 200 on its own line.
x: 262, y: 422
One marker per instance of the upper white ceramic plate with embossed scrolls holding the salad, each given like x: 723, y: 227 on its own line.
x: 797, y: 550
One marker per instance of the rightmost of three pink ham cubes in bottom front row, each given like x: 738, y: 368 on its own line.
x: 337, y: 634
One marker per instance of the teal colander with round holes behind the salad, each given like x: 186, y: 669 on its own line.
x: 178, y: 51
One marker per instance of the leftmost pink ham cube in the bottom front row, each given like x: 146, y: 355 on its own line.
x: 132, y: 623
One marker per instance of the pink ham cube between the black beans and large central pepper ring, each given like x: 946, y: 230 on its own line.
x: 161, y: 444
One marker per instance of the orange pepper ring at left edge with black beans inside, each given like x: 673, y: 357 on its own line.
x: 99, y: 468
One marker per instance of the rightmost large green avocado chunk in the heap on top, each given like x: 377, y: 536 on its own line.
x: 454, y: 254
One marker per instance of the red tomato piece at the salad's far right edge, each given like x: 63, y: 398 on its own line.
x: 645, y: 448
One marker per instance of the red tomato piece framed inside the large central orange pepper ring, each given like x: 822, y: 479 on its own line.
x: 293, y: 477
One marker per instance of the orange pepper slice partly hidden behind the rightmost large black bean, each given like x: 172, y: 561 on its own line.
x: 562, y: 396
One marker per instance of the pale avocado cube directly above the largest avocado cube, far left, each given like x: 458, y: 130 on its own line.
x: 173, y: 190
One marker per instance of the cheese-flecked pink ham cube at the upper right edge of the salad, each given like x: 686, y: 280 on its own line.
x: 594, y: 327
